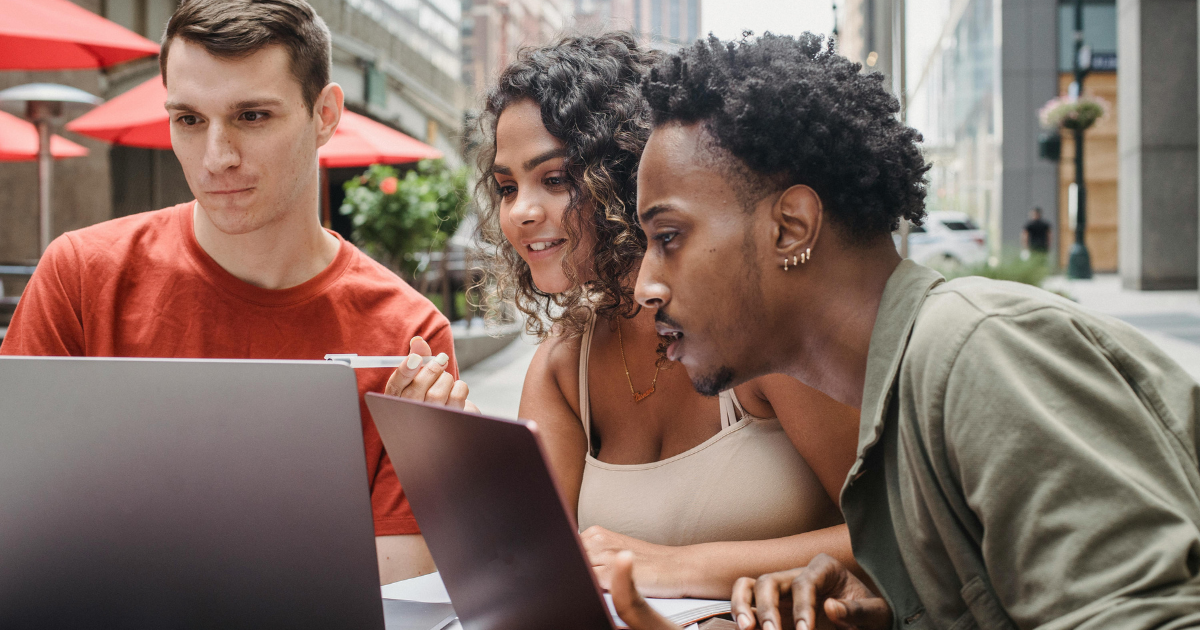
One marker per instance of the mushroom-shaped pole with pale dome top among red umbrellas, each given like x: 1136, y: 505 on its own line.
x: 44, y: 103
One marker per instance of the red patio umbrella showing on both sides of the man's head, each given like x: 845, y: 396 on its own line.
x: 139, y: 119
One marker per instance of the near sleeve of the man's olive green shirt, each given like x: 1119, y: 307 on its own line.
x: 1084, y: 500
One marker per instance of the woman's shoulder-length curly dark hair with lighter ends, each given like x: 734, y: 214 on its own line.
x: 589, y: 92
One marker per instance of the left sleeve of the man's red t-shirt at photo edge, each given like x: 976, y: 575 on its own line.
x: 49, y: 321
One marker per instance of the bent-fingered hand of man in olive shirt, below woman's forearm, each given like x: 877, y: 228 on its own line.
x: 825, y: 586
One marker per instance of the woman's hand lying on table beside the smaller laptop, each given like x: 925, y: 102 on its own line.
x: 661, y: 571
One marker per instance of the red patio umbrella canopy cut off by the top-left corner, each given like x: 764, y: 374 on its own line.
x: 62, y: 35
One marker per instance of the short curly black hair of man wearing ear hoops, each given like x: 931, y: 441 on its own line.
x: 794, y: 112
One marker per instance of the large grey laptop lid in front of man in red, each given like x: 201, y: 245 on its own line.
x: 184, y: 494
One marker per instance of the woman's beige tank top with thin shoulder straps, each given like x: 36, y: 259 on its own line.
x: 746, y: 483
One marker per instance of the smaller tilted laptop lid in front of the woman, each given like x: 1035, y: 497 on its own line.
x: 495, y: 523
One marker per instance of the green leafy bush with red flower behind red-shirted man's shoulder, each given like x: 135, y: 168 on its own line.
x: 399, y: 218
